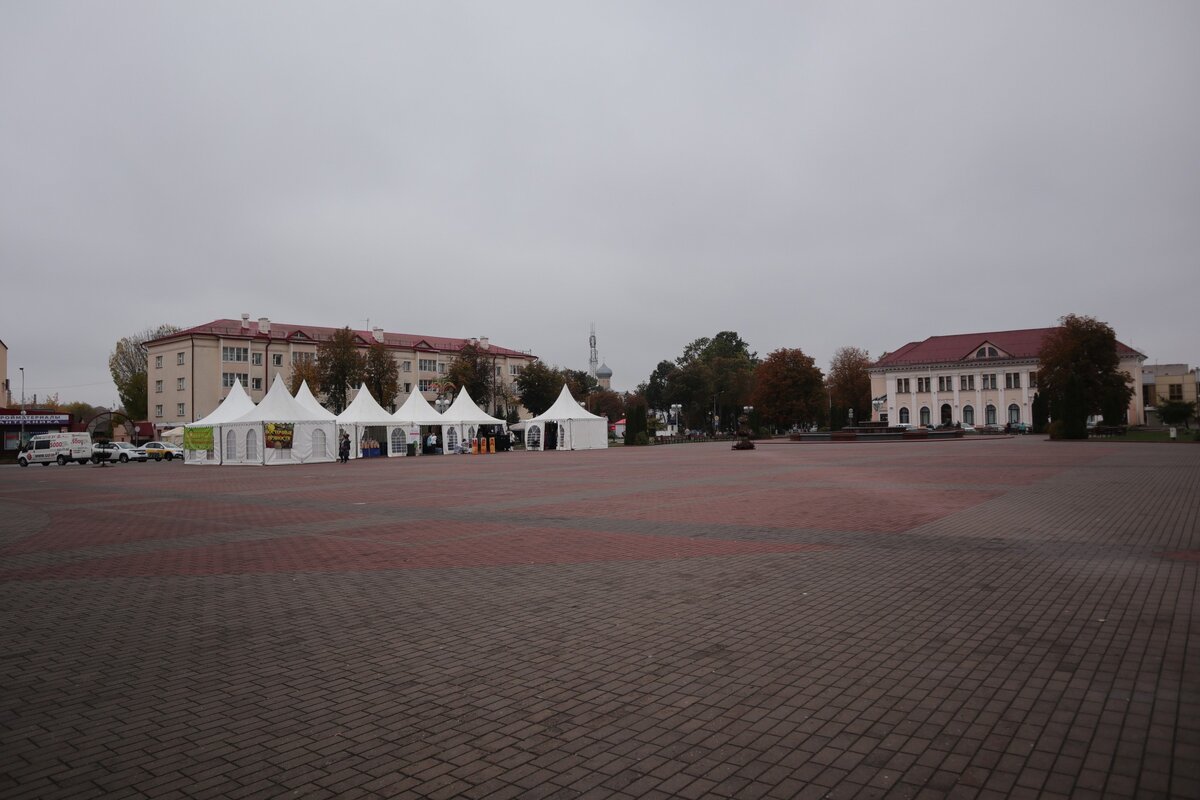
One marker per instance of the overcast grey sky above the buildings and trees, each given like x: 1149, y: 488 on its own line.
x: 808, y: 175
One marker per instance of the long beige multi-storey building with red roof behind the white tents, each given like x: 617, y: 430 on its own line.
x: 189, y: 374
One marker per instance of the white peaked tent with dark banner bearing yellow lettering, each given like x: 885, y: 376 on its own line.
x: 280, y: 431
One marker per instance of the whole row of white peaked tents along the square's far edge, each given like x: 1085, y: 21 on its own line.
x: 286, y: 430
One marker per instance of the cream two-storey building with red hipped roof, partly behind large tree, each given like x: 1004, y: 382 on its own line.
x: 973, y: 380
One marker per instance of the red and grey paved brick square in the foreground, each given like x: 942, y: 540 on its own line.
x: 976, y: 618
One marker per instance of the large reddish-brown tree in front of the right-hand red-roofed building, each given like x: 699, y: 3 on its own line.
x: 1081, y: 375
